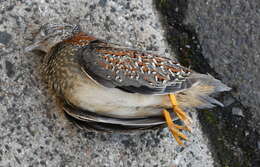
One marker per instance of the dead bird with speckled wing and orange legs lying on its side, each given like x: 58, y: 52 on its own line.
x: 107, y: 85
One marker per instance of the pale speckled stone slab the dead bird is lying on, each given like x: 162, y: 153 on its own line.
x: 33, y: 130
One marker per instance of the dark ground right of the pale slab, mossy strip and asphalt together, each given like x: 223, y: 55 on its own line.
x: 222, y: 38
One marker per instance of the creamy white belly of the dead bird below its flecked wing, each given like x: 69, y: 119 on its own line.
x: 114, y: 102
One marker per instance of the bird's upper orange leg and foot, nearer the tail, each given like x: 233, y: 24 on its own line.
x: 181, y: 114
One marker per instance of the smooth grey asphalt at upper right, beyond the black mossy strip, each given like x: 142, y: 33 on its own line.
x: 230, y: 38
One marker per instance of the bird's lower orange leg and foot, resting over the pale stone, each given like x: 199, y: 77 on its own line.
x: 174, y: 128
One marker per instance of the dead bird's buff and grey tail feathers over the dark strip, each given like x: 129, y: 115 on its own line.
x: 198, y: 96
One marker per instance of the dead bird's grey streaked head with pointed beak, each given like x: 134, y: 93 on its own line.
x: 51, y: 34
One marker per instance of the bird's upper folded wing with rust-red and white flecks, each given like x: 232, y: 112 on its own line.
x: 132, y: 70
